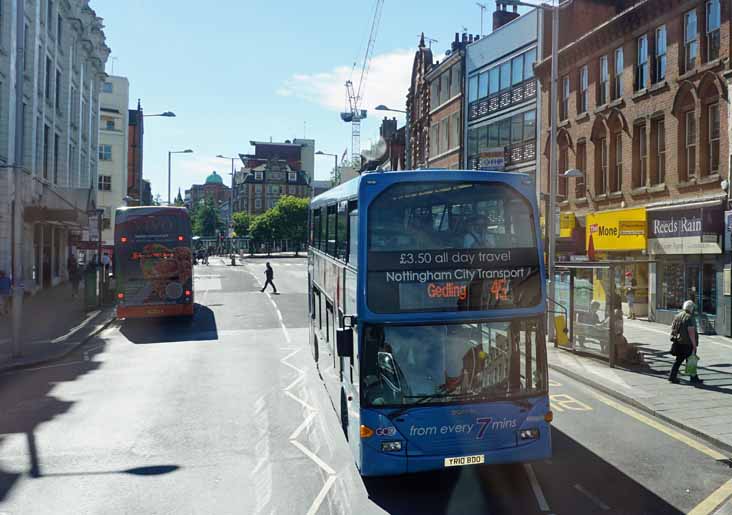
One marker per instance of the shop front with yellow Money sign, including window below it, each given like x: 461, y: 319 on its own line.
x: 620, y: 235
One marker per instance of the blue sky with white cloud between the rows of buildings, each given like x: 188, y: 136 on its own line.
x: 255, y: 69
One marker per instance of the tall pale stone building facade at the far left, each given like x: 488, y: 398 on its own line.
x: 53, y: 68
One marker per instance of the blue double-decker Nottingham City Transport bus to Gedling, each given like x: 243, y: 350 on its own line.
x: 427, y: 309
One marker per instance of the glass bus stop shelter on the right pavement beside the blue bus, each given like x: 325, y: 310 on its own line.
x: 587, y: 312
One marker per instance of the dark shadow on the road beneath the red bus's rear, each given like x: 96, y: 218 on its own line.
x: 167, y: 330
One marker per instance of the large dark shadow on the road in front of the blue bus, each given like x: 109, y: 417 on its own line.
x: 506, y: 488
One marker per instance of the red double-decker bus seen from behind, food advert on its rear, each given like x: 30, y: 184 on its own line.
x: 153, y: 265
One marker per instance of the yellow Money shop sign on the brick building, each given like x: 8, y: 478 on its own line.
x: 624, y: 229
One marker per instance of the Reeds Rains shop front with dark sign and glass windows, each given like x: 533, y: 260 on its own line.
x: 686, y: 242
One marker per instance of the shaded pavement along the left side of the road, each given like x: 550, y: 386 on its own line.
x: 53, y: 324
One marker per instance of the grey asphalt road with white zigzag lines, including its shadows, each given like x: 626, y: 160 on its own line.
x: 228, y: 415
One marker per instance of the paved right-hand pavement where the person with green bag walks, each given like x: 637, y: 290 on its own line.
x: 705, y: 410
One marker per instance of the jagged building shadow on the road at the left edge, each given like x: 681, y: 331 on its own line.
x: 26, y: 402
